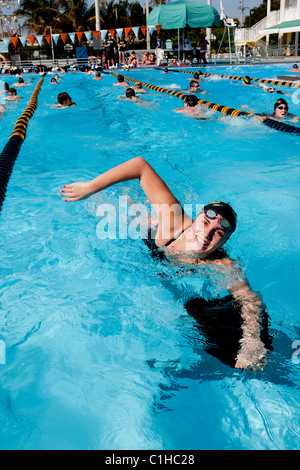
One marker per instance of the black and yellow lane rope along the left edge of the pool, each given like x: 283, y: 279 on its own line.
x: 11, y: 150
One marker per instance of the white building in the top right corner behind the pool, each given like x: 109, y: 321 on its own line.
x: 284, y: 22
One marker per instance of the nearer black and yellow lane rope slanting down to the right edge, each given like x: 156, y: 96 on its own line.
x: 279, y: 126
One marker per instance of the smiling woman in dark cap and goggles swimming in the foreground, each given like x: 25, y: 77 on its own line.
x: 189, y: 242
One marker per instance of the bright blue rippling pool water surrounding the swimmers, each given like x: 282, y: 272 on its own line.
x: 100, y: 352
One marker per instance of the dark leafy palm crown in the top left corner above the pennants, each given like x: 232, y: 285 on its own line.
x: 39, y: 14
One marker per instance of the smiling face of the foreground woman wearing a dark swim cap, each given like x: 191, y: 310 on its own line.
x: 207, y: 234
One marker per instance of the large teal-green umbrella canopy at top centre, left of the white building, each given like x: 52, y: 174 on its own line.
x: 184, y: 12
